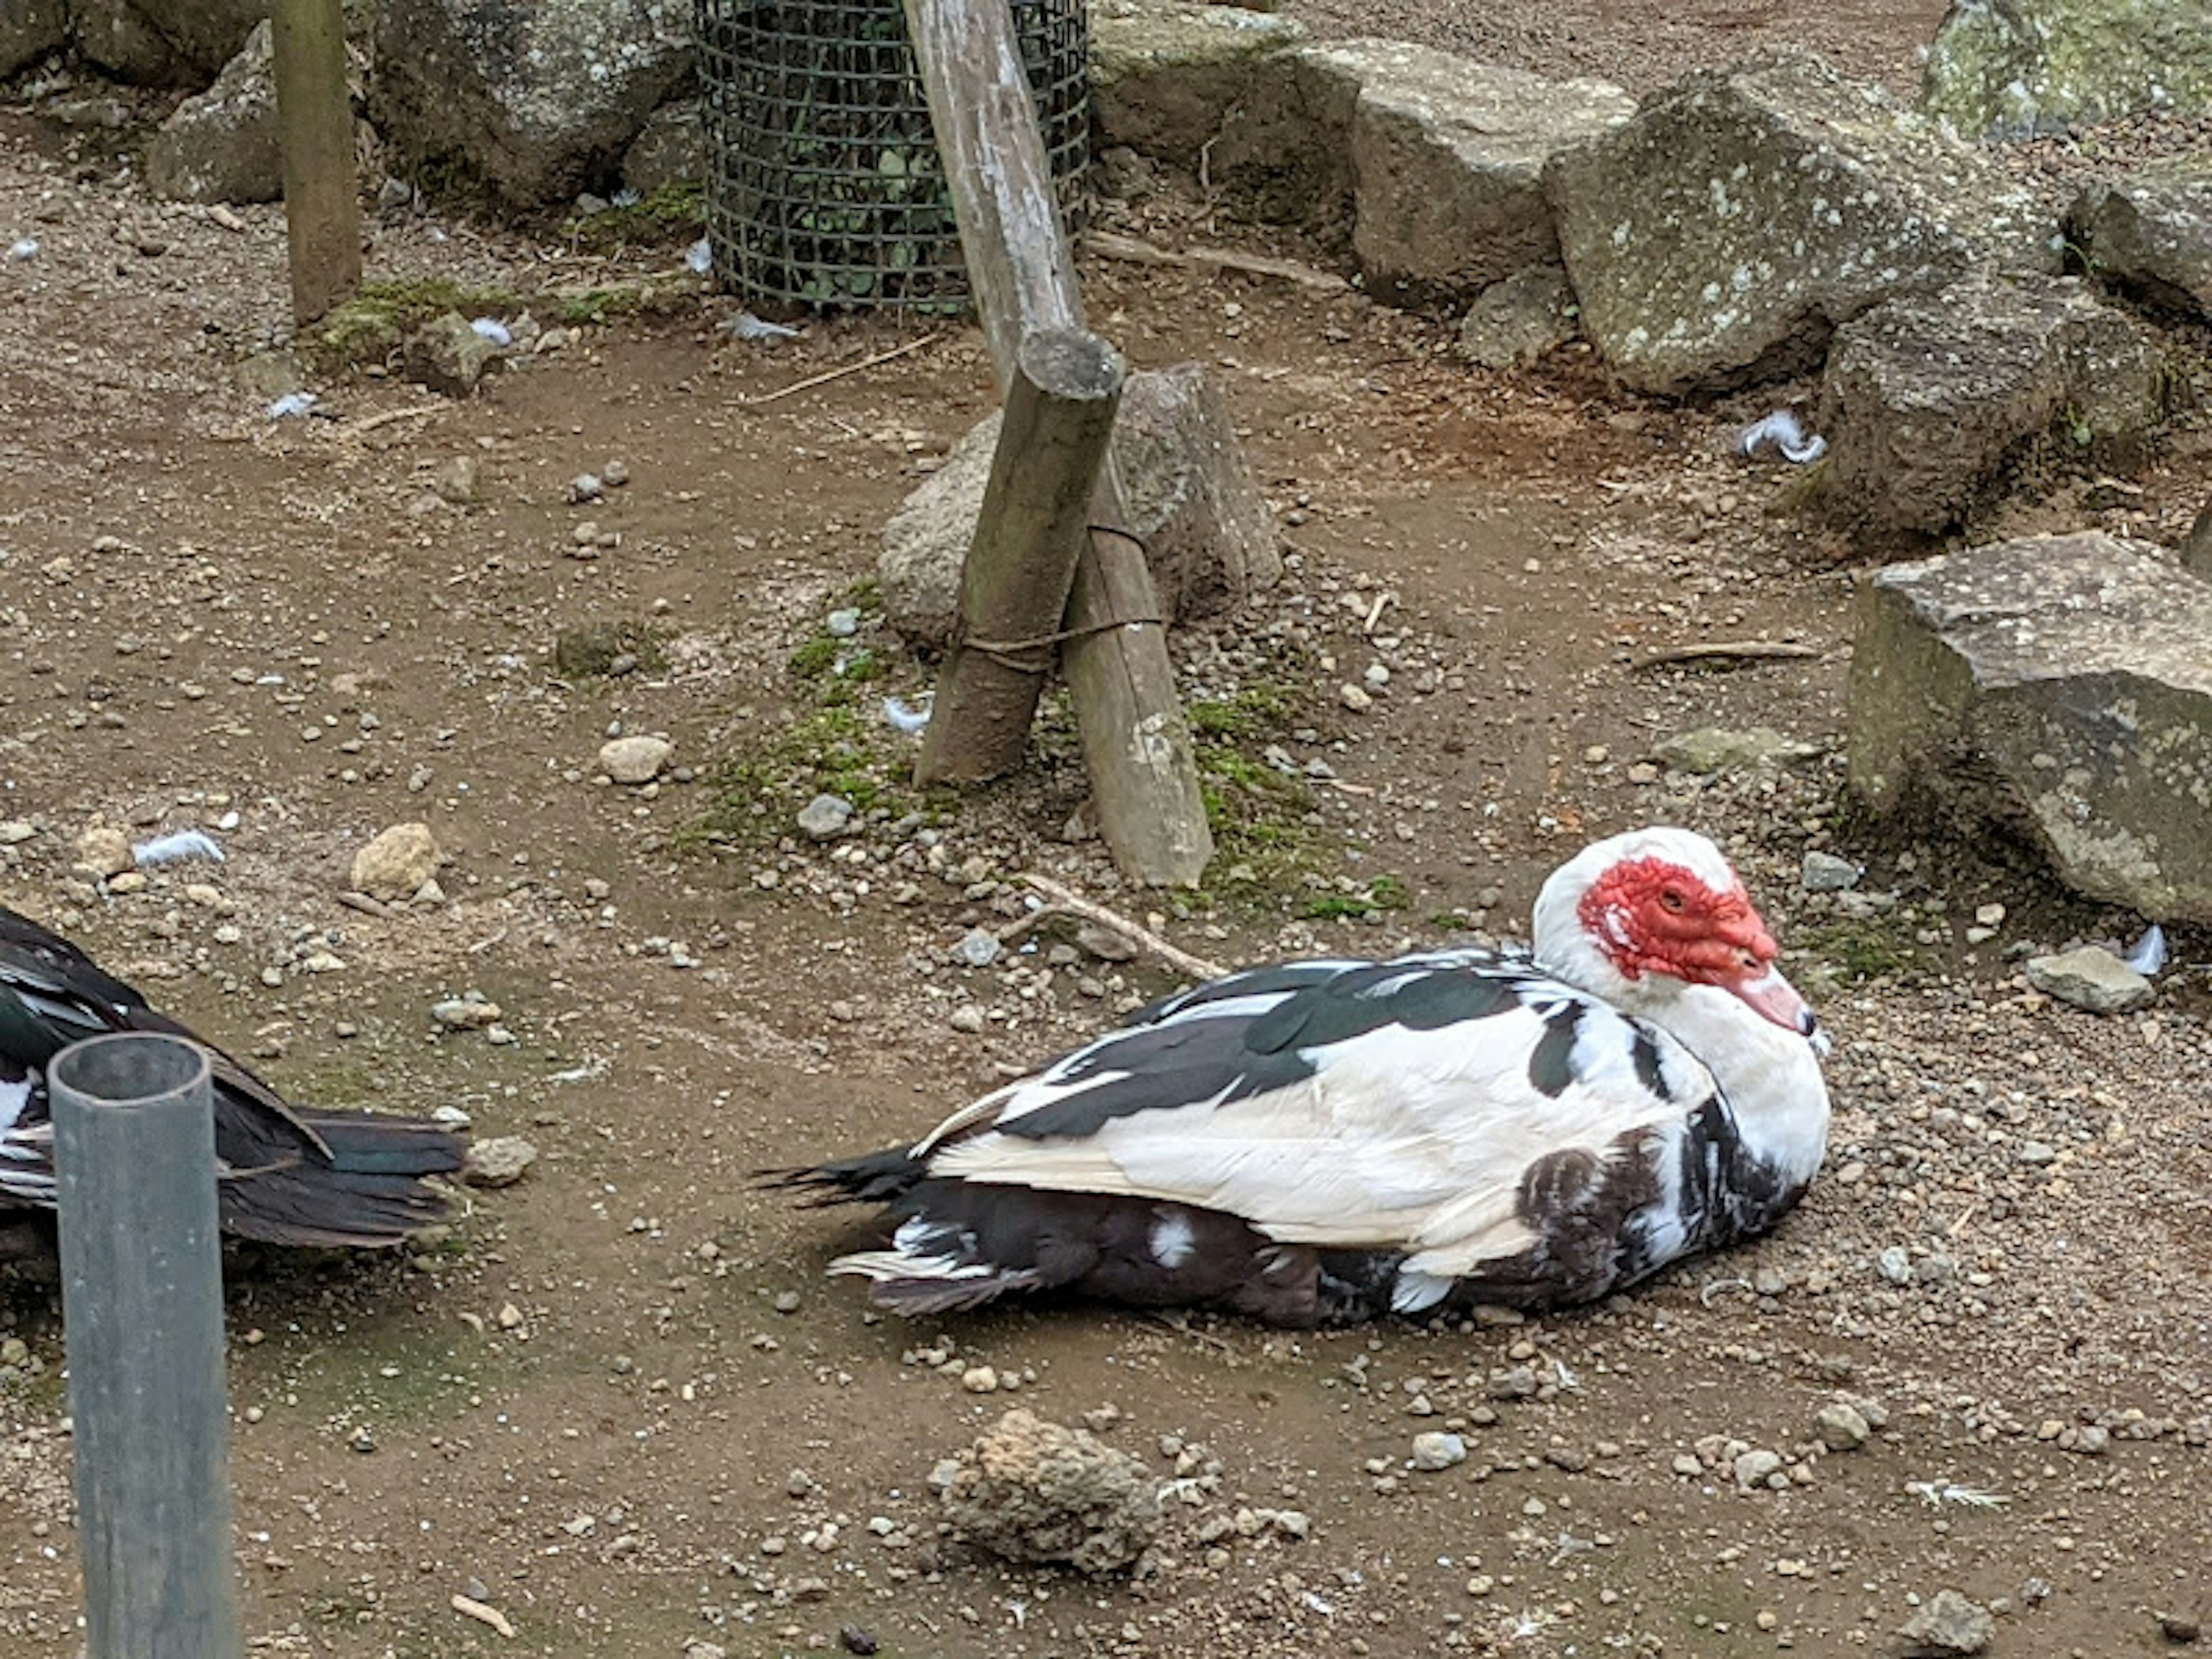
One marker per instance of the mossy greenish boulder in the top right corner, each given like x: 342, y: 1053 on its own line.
x: 2041, y: 65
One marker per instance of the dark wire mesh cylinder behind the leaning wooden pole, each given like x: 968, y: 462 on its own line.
x: 824, y: 178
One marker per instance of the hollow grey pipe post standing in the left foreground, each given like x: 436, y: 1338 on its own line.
x: 143, y: 1306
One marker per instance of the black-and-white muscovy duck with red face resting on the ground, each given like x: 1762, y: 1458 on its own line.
x: 1326, y: 1142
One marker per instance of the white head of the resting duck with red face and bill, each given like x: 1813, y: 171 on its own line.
x: 1645, y: 915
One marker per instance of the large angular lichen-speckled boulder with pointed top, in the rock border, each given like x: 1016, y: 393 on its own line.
x: 1740, y: 218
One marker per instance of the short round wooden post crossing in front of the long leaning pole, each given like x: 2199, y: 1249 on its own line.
x: 1030, y: 536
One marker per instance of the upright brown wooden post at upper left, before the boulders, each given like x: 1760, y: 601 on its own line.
x: 315, y: 116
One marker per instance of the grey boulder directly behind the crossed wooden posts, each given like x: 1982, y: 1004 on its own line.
x: 1189, y: 492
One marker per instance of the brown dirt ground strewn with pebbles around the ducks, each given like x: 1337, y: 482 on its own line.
x: 620, y: 1404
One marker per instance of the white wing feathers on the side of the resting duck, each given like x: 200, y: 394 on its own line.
x: 1401, y: 1140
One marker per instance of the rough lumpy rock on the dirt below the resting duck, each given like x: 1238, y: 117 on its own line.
x: 1041, y: 1492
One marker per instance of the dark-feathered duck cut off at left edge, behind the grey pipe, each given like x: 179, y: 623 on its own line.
x: 293, y: 1178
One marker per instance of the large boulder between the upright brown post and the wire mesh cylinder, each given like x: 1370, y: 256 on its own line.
x: 539, y: 98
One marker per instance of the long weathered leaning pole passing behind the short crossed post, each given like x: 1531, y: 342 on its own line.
x: 1145, y: 775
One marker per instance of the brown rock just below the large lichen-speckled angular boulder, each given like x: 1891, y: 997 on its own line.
x: 1930, y: 397
